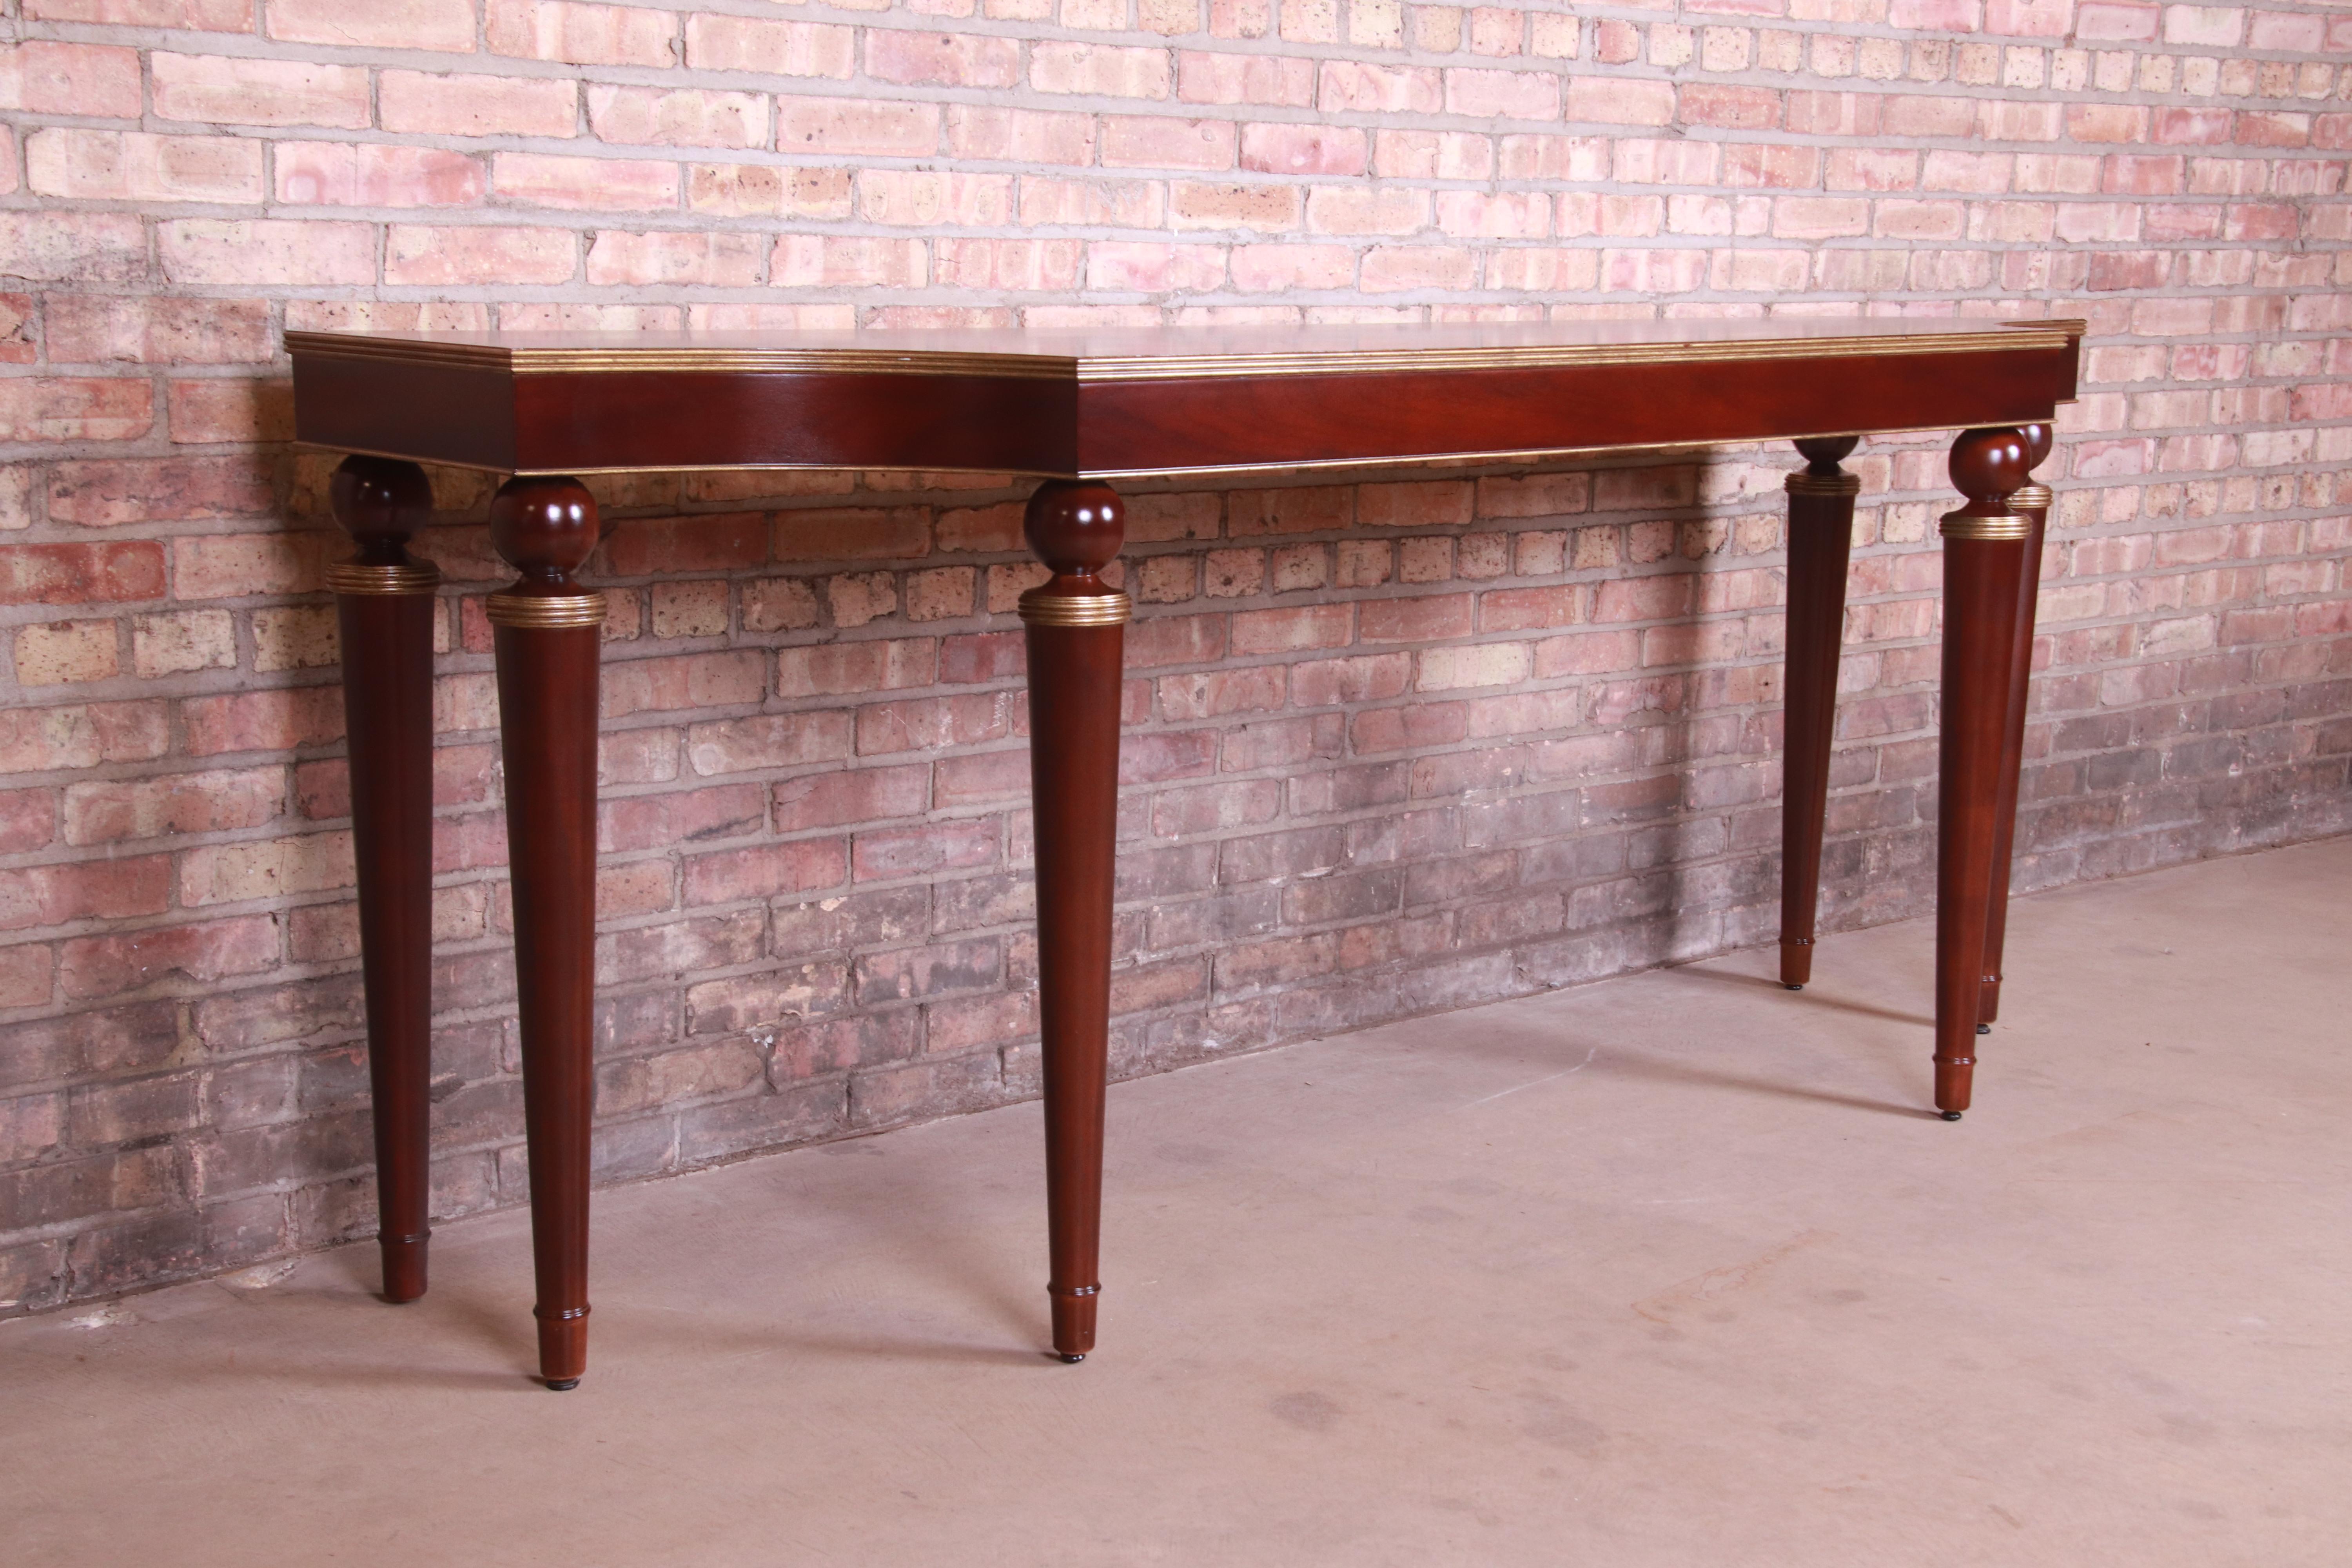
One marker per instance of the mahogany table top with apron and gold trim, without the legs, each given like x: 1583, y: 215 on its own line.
x: 1121, y: 401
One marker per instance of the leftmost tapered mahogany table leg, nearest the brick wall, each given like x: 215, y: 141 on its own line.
x: 385, y: 605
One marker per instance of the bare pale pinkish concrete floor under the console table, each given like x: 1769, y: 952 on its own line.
x: 1664, y: 1271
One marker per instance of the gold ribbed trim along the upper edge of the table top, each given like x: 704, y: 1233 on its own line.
x: 497, y: 359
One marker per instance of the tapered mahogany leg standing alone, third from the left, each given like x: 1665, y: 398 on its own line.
x: 1074, y: 669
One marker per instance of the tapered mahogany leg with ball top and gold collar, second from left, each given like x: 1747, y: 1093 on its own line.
x: 547, y: 634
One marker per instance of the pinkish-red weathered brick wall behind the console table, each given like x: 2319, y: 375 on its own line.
x: 1394, y: 746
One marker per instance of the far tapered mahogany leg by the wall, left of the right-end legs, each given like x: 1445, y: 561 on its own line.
x: 1819, y: 540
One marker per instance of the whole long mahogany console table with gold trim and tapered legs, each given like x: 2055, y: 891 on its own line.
x: 1078, y: 410
